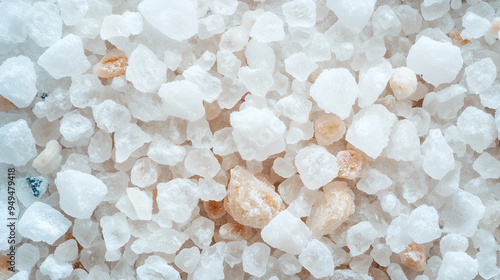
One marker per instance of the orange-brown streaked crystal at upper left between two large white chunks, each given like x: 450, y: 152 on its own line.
x: 112, y: 65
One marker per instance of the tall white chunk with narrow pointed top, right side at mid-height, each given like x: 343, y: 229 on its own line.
x: 438, y: 157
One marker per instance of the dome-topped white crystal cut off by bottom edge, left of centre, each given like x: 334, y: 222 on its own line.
x: 156, y: 267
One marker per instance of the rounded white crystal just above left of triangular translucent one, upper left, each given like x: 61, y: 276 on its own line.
x: 110, y: 116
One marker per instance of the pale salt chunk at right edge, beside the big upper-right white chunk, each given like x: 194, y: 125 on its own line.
x: 481, y: 75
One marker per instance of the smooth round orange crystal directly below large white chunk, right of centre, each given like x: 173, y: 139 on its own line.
x: 328, y: 129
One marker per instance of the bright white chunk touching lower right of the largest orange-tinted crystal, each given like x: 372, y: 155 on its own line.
x: 287, y: 233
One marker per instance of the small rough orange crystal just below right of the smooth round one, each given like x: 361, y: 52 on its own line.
x: 351, y: 164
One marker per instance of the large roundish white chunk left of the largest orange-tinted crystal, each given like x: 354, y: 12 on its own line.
x: 177, y: 199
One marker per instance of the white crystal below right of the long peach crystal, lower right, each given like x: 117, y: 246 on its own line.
x: 360, y: 237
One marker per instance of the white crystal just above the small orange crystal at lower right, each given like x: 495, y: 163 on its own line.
x: 424, y: 224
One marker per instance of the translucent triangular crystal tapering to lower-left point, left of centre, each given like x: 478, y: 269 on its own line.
x: 128, y: 139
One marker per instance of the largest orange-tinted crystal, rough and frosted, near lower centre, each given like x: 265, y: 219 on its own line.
x: 250, y: 201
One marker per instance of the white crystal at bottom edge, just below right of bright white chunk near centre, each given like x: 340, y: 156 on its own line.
x: 317, y: 259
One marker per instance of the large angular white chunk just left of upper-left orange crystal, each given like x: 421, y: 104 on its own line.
x: 65, y: 58
